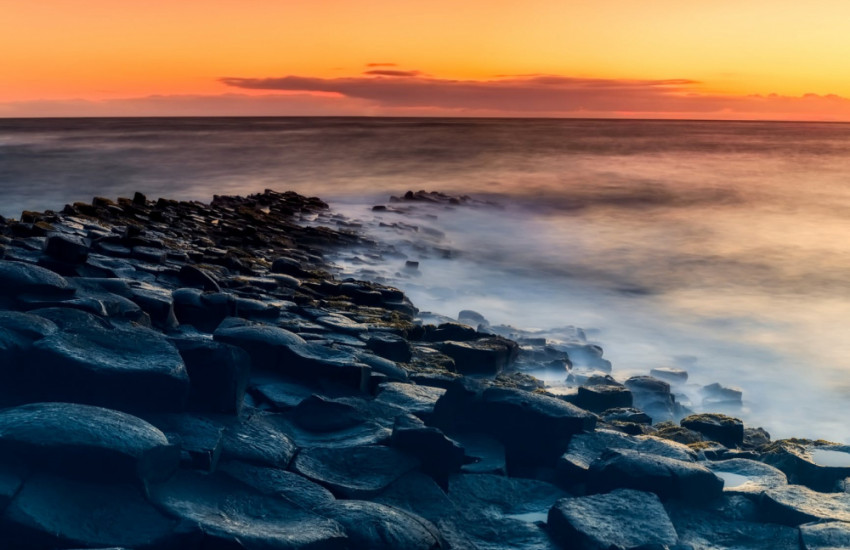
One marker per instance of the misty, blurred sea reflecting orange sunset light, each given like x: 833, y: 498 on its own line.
x: 718, y: 247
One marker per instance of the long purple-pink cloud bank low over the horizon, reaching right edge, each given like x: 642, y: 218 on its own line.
x: 550, y: 95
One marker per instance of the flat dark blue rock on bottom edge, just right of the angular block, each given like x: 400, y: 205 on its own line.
x: 723, y: 526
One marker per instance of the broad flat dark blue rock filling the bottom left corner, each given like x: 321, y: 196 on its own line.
x: 51, y: 512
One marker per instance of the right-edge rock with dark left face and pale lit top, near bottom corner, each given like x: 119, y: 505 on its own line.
x: 796, y: 504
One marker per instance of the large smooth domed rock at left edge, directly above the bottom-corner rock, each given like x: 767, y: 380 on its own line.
x: 86, y: 441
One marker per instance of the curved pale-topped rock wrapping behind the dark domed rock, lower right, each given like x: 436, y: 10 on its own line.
x: 585, y: 449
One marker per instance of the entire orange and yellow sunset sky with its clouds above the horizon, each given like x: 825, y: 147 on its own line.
x: 657, y: 58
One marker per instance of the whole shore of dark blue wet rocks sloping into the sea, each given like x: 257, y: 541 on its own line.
x: 178, y: 375
